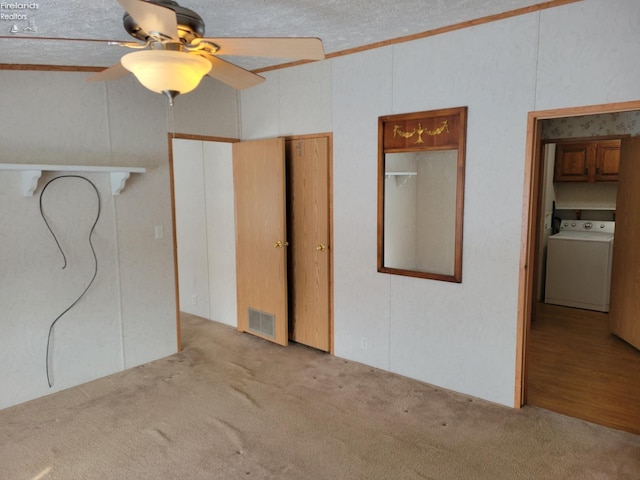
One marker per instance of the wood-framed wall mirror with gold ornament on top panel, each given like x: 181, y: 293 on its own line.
x: 421, y: 162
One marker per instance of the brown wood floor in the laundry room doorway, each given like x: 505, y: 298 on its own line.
x: 576, y: 367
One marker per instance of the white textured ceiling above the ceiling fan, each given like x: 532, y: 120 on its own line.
x: 340, y: 24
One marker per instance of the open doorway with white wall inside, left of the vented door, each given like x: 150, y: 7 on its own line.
x: 203, y: 226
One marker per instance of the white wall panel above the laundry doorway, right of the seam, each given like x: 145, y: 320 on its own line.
x: 586, y: 54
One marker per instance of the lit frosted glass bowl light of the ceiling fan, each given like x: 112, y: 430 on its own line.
x: 166, y: 70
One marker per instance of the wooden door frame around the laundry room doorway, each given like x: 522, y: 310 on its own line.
x: 530, y: 225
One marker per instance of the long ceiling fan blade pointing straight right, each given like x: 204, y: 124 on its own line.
x: 307, y: 48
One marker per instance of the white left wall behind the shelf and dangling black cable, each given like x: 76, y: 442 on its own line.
x: 128, y: 316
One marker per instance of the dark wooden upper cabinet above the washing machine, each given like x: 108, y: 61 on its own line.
x: 596, y: 161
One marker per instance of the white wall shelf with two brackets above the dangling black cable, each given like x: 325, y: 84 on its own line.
x: 31, y: 173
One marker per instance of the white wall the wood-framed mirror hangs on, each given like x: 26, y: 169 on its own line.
x: 458, y: 336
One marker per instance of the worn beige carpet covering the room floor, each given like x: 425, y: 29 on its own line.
x: 233, y: 406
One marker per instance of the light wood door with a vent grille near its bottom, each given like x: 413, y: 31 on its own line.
x: 261, y: 238
